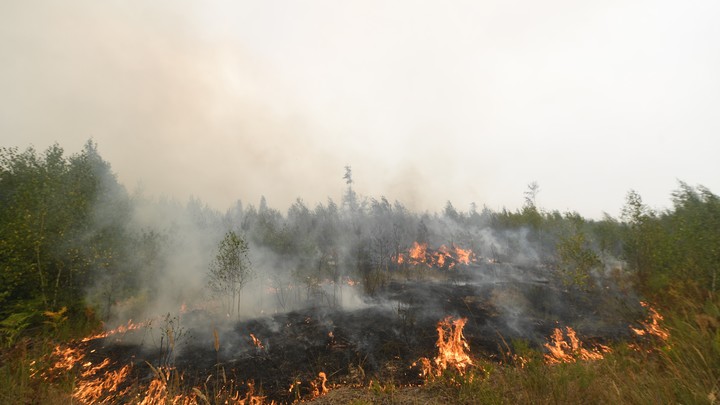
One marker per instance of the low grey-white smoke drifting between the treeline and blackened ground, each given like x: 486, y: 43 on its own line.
x: 326, y: 262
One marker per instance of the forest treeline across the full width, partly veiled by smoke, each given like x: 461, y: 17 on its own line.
x: 73, y: 241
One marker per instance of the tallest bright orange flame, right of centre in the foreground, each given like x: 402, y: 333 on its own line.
x: 453, y: 349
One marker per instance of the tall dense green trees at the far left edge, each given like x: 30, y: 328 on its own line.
x: 63, y: 221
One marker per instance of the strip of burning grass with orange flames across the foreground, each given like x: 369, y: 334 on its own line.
x: 363, y: 357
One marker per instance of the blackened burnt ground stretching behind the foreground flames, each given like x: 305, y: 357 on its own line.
x: 379, y: 339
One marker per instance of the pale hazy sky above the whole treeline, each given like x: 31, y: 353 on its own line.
x: 428, y: 101
